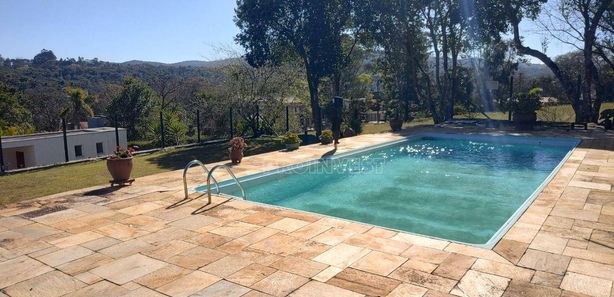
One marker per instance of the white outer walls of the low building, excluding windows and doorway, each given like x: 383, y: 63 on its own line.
x: 50, y: 150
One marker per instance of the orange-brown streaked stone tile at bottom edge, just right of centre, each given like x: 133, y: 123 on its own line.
x: 363, y: 282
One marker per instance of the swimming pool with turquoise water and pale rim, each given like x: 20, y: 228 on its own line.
x: 458, y: 187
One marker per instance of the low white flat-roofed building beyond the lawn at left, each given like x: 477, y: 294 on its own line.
x: 48, y: 148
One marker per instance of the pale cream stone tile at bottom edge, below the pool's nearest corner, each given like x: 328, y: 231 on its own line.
x: 482, y: 284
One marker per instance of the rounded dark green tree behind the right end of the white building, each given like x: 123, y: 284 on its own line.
x: 132, y: 107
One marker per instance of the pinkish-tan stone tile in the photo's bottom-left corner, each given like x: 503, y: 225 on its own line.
x: 51, y: 284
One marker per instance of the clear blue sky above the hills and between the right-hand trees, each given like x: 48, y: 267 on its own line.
x: 113, y: 30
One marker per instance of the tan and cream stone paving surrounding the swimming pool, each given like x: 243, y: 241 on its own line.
x: 130, y: 242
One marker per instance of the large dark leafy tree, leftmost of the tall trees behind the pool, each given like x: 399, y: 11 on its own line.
x: 312, y: 30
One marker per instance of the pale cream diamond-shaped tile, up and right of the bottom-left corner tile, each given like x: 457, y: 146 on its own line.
x: 127, y: 269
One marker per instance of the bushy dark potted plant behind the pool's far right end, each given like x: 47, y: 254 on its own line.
x: 524, y: 107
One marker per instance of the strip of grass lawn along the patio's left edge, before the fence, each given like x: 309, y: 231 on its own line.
x: 38, y: 183
